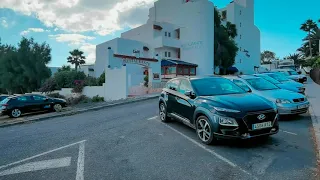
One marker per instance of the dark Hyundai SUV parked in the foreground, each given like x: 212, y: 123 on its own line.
x: 217, y: 109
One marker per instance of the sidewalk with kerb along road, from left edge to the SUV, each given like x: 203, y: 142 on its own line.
x: 80, y: 108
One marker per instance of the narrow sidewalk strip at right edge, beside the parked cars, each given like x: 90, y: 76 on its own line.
x: 313, y: 95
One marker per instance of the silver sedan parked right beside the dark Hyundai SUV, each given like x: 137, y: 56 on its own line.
x: 287, y: 102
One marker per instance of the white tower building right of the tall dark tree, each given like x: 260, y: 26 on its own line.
x: 241, y: 13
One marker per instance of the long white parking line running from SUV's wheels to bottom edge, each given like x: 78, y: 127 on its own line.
x: 211, y: 151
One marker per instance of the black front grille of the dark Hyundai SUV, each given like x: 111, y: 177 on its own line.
x: 252, y: 117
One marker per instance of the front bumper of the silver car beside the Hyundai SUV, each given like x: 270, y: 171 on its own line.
x: 293, y: 108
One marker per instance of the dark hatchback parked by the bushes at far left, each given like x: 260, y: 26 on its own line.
x: 15, y: 106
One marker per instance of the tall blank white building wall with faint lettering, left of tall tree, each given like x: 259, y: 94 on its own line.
x: 196, y: 20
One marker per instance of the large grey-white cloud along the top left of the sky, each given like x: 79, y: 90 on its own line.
x: 100, y: 16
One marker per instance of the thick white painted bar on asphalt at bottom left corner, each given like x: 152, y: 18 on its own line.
x: 40, y: 165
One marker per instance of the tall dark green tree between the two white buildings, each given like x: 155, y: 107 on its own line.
x: 225, y: 48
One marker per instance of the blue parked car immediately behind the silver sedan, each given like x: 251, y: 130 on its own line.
x: 284, y: 85
